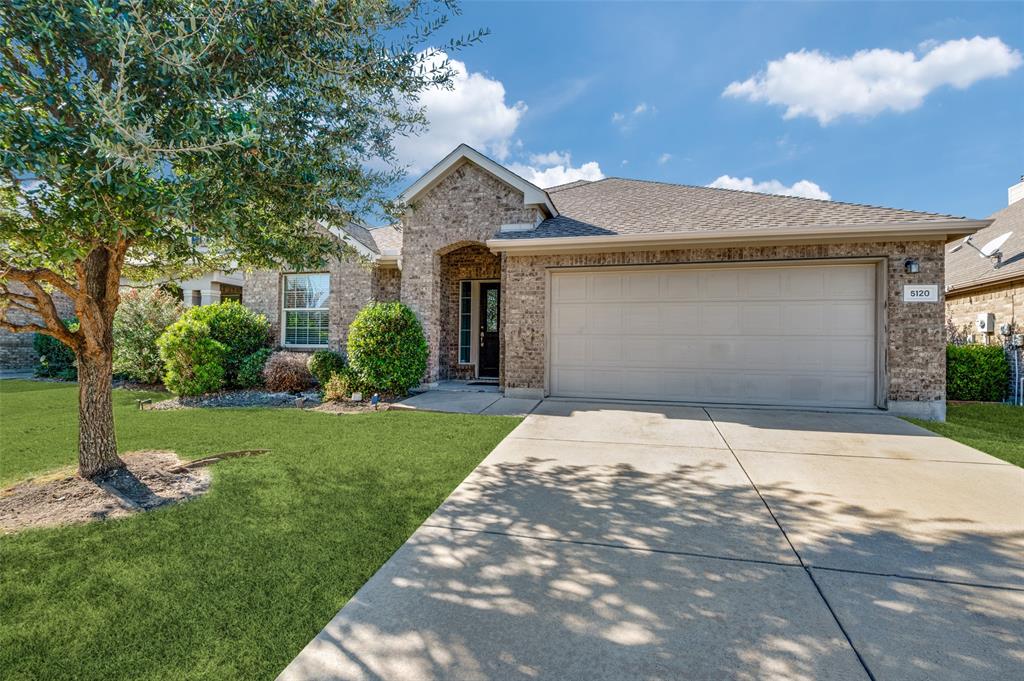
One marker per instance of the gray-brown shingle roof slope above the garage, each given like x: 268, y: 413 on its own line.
x: 617, y: 206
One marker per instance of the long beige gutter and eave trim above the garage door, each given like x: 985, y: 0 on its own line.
x: 930, y: 230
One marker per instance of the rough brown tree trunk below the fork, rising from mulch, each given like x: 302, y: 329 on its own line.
x: 98, y: 445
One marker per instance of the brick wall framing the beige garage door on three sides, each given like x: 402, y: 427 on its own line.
x: 914, y: 343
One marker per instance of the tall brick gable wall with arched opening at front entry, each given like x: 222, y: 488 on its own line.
x: 468, y: 206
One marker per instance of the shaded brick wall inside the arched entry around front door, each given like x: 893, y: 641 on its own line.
x: 470, y: 263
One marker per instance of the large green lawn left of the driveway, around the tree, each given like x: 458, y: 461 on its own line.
x: 234, y: 584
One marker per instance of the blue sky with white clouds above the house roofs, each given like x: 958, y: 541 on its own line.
x: 917, y: 105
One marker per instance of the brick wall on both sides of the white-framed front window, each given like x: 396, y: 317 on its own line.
x: 352, y: 289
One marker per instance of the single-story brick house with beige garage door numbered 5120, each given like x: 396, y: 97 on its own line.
x: 637, y: 290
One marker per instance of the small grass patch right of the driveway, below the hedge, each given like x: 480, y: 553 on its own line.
x: 996, y: 430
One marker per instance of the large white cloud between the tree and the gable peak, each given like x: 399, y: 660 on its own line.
x: 474, y: 112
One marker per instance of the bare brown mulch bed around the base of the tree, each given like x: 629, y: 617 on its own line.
x: 151, y: 480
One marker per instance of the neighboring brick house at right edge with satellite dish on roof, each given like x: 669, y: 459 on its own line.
x: 975, y: 287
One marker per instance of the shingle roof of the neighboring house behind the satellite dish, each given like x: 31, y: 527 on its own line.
x: 967, y: 268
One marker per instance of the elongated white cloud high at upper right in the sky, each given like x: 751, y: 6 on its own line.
x: 810, y: 83
